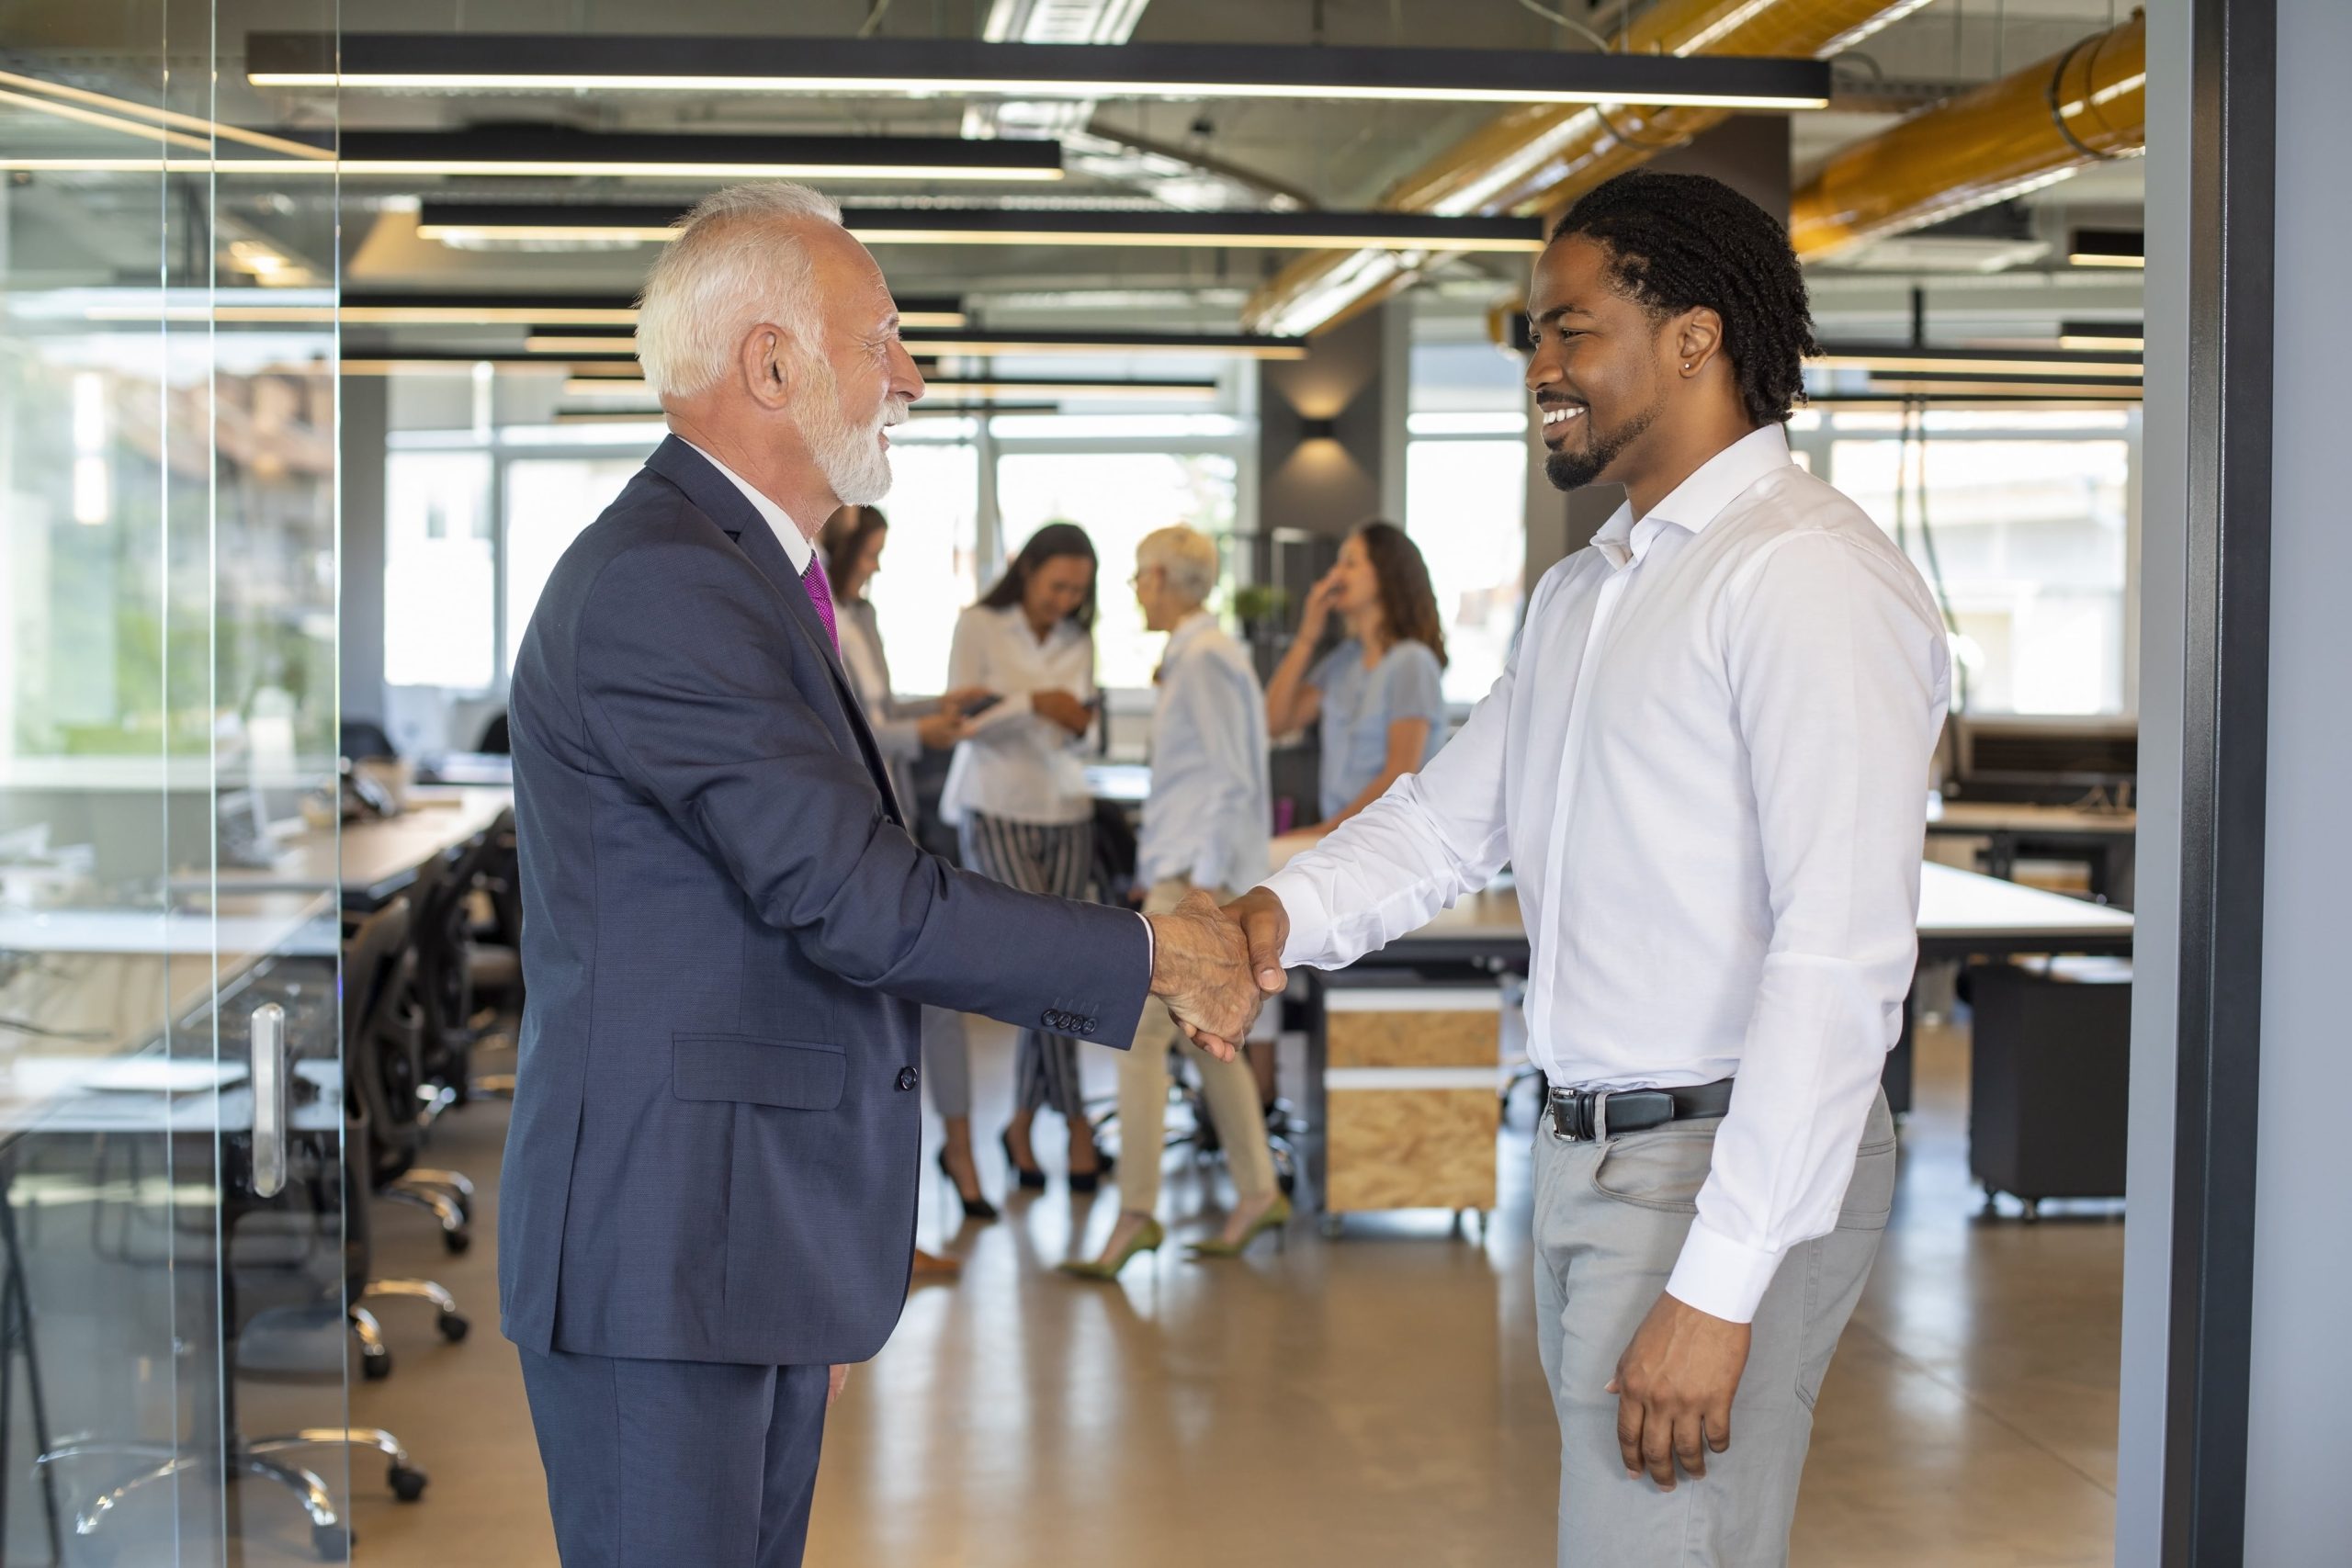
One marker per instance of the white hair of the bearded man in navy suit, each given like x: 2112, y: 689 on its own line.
x: 740, y: 260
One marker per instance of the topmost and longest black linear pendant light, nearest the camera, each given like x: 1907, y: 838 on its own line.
x: 949, y: 67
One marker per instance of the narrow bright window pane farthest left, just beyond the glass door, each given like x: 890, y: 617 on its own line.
x: 439, y: 572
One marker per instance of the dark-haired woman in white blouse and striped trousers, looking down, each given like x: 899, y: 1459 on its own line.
x: 1020, y: 786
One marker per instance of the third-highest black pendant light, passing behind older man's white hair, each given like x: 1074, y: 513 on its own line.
x: 474, y: 225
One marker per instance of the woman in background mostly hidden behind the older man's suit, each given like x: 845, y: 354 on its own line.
x: 853, y: 542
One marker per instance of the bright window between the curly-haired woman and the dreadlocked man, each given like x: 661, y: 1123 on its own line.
x: 1466, y: 509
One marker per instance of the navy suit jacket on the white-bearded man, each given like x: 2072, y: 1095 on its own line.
x: 728, y: 934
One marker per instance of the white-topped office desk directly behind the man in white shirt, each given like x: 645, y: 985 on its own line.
x: 1483, y: 939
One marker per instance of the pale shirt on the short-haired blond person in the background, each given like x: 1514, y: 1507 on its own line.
x: 1210, y: 815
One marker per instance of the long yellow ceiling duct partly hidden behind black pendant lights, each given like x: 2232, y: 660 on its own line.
x: 1539, y: 159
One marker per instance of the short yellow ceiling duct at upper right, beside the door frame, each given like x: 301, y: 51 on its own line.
x: 2022, y: 133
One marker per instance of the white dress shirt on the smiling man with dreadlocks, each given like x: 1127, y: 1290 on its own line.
x: 1706, y: 765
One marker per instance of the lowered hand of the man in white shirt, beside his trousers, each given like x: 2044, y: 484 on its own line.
x: 1676, y: 1386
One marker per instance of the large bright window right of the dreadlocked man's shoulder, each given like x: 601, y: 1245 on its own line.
x: 2026, y: 542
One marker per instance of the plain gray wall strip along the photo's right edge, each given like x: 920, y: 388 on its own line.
x: 2299, y: 1503
